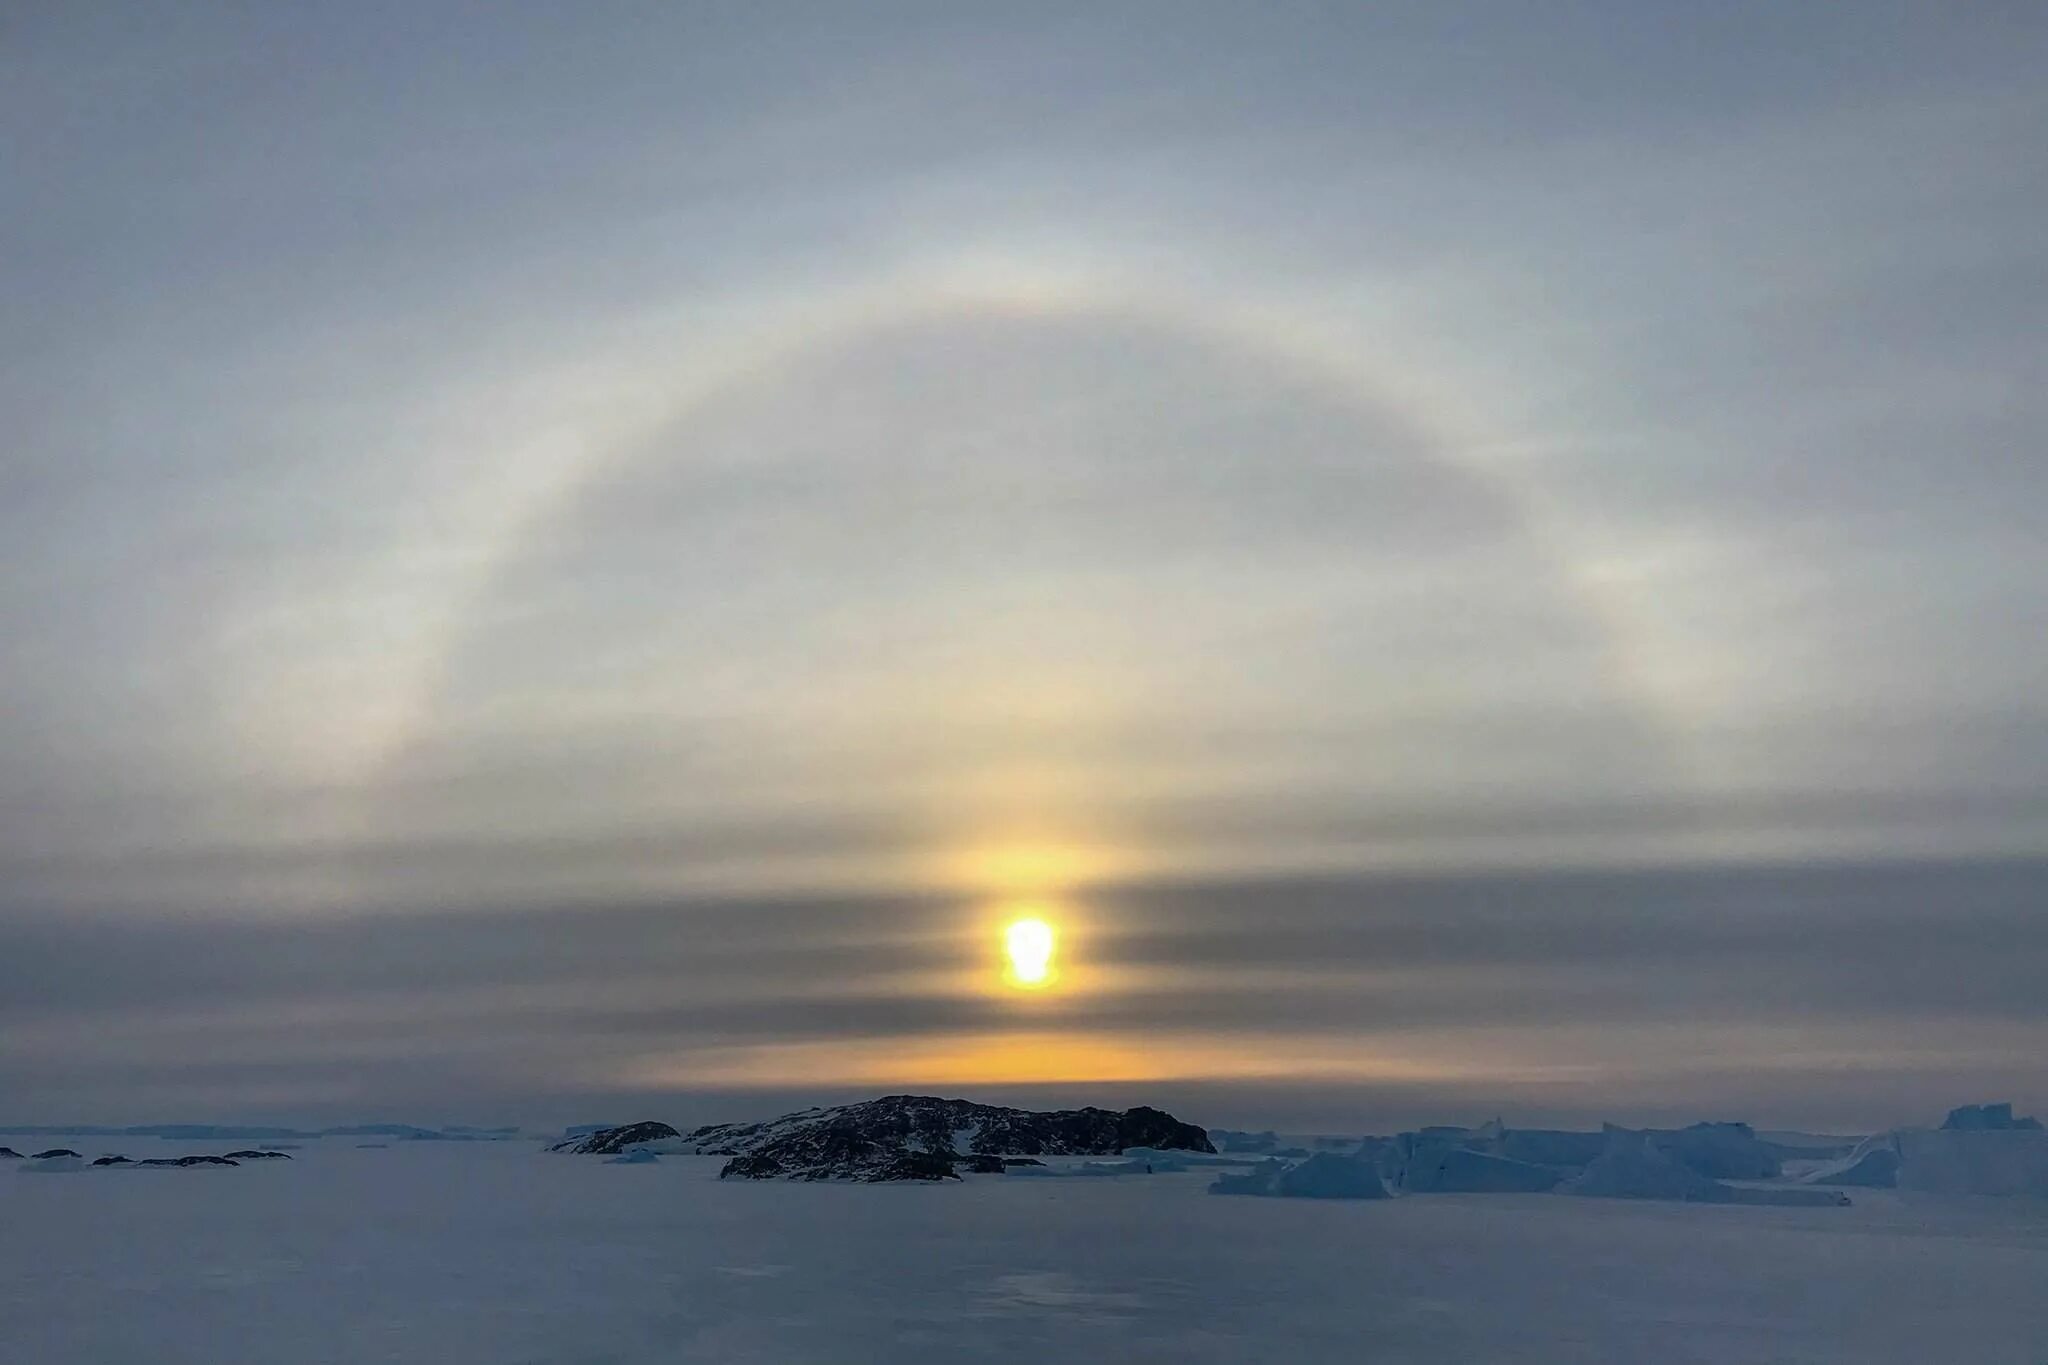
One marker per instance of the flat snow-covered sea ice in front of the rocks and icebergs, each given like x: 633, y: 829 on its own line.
x: 470, y: 1253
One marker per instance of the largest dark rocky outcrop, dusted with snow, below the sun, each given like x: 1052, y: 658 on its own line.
x: 921, y: 1139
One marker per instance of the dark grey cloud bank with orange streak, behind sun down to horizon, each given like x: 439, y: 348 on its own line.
x: 1437, y: 983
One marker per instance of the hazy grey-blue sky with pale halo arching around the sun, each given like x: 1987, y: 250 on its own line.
x: 583, y: 562
